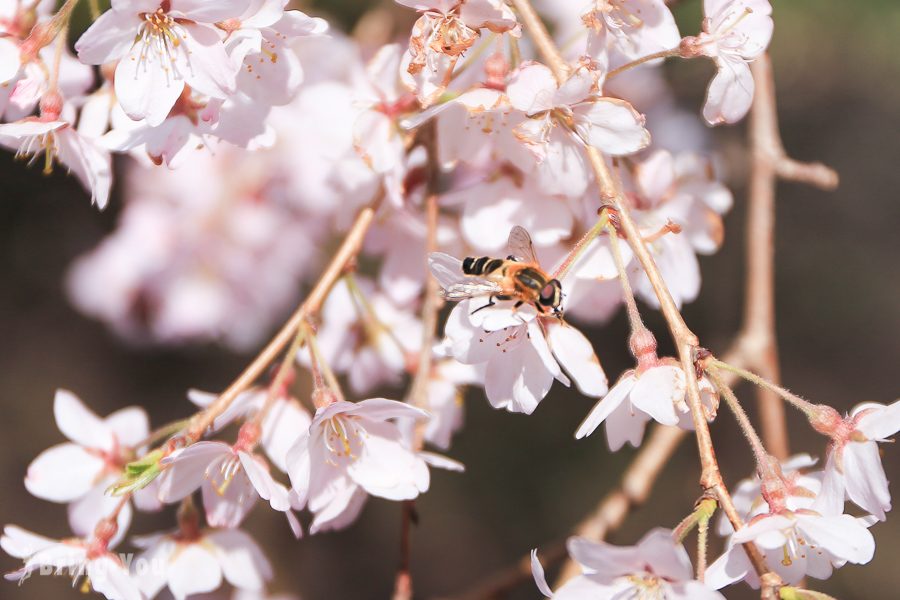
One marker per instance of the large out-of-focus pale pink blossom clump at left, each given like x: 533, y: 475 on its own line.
x: 215, y: 256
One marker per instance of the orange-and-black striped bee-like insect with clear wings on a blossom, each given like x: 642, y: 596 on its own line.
x: 517, y: 277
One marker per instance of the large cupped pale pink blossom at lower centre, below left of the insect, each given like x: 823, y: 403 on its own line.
x: 352, y: 450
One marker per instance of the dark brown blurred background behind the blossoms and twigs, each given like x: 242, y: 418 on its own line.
x: 528, y: 482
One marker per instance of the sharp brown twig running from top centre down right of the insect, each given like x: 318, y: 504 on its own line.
x: 685, y: 341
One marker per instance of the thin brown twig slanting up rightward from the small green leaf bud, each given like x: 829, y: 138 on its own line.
x: 345, y: 255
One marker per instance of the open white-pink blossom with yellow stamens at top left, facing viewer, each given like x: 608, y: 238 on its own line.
x: 162, y: 46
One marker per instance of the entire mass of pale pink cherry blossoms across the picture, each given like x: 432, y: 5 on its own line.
x: 255, y: 135
